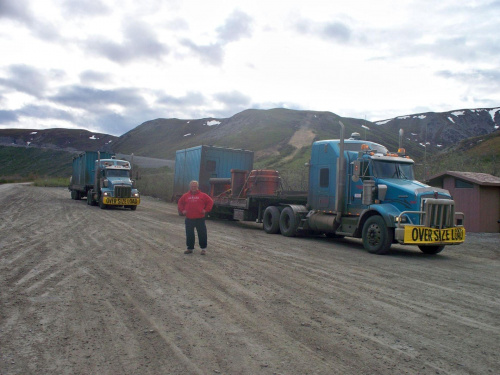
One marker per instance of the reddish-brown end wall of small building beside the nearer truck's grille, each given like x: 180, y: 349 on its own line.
x: 467, y: 200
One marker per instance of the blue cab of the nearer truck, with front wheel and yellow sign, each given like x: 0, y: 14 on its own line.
x: 380, y: 201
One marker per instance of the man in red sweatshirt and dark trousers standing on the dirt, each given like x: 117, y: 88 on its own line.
x: 194, y: 205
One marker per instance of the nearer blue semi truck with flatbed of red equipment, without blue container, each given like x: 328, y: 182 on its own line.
x: 356, y: 189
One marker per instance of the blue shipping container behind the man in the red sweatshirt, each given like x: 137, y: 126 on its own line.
x: 201, y: 163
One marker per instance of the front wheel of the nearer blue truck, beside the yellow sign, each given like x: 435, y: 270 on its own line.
x: 377, y: 238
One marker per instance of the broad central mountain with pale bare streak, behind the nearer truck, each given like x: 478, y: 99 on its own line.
x: 267, y: 132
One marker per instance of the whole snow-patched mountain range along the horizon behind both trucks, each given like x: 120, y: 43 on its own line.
x: 466, y: 139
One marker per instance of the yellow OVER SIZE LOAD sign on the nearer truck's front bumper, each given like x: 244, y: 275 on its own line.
x: 424, y: 235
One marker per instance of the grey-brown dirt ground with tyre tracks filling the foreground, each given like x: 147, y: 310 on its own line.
x: 91, y: 291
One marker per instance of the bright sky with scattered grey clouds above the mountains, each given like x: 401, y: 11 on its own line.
x: 108, y: 66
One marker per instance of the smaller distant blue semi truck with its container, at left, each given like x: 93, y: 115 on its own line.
x: 103, y: 180
